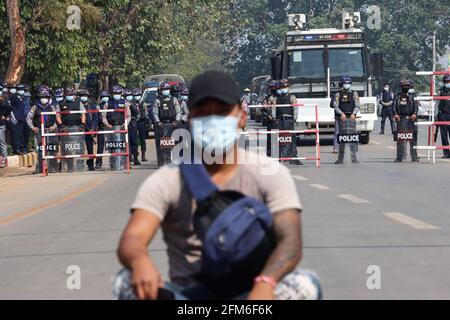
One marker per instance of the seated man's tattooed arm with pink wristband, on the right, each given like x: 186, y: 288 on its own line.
x: 286, y: 255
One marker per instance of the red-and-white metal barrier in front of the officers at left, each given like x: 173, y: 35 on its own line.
x: 89, y: 156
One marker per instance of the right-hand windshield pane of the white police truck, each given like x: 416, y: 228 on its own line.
x: 346, y: 61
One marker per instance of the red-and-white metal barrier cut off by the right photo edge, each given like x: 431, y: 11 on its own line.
x: 432, y: 123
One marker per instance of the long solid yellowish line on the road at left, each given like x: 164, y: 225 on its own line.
x: 29, y: 212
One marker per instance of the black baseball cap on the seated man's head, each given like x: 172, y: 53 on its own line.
x: 213, y: 85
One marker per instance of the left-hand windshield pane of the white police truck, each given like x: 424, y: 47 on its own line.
x: 306, y: 64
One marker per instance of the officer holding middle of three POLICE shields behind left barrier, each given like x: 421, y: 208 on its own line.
x: 73, y: 122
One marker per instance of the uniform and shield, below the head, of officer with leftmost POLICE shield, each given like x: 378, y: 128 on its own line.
x: 34, y: 121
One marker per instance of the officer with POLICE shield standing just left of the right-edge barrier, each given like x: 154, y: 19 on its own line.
x: 405, y: 112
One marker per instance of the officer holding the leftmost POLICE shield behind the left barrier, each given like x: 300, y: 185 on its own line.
x: 43, y: 104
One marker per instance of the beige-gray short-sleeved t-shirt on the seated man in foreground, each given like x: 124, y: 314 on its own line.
x: 165, y: 194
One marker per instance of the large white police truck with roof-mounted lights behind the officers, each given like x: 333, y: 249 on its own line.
x: 314, y: 61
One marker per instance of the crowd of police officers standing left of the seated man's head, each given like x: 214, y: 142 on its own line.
x: 21, y: 116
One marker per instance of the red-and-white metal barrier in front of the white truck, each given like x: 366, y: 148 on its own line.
x: 317, y: 158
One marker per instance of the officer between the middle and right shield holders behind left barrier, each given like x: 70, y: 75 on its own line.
x: 91, y: 124
